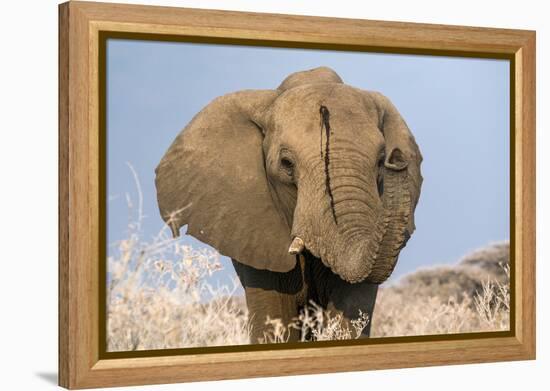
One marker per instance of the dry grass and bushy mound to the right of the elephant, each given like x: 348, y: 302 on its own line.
x: 471, y: 296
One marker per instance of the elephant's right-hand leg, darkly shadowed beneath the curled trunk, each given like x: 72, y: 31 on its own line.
x: 349, y: 300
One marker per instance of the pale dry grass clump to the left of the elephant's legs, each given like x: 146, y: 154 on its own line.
x: 157, y: 301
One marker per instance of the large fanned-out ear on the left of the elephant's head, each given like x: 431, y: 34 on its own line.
x: 213, y: 179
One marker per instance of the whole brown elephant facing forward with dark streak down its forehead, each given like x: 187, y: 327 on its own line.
x: 309, y: 188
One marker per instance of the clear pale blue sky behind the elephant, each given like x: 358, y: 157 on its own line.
x: 457, y: 108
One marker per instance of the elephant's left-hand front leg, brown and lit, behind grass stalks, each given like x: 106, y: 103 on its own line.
x: 268, y: 310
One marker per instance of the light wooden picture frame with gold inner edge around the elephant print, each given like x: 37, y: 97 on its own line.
x: 83, y: 28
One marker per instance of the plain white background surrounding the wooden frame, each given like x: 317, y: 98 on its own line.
x: 28, y: 195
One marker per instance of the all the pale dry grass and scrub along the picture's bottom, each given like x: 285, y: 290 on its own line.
x: 159, y: 298
